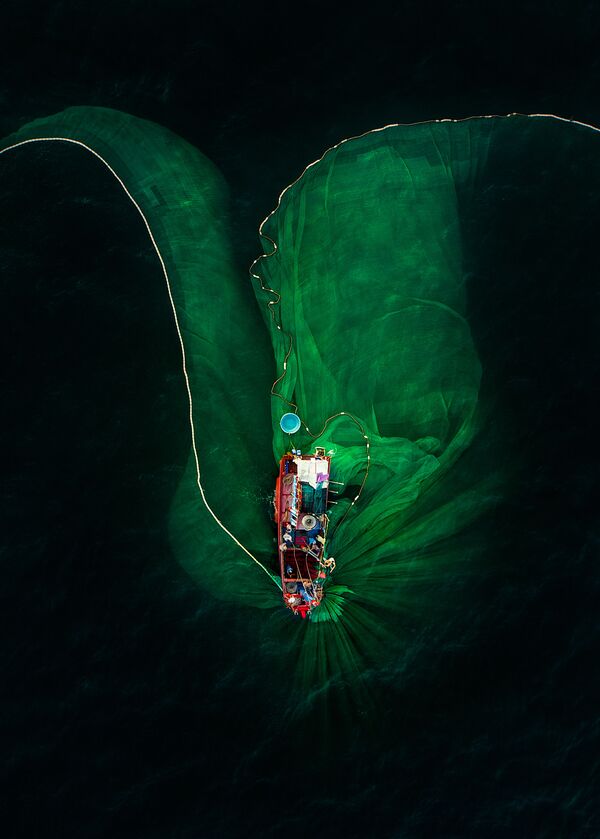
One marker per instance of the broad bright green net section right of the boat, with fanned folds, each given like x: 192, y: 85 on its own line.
x: 367, y: 263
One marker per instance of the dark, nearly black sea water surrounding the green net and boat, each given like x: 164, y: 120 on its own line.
x: 132, y: 704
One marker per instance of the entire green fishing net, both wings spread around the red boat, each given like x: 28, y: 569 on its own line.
x: 362, y: 322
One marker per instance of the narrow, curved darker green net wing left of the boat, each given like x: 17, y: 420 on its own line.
x: 220, y: 525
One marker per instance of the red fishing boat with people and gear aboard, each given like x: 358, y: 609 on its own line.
x: 301, y: 499
